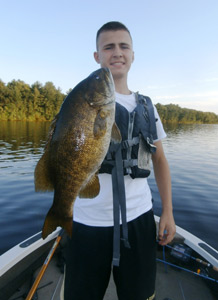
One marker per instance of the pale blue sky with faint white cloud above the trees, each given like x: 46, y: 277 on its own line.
x: 175, y: 44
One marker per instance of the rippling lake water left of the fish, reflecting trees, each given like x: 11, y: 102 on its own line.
x: 21, y: 214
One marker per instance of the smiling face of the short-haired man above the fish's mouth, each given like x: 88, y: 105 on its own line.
x: 115, y: 52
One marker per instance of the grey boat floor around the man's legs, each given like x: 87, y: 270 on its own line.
x: 172, y: 284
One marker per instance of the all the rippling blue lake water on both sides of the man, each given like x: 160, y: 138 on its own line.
x: 192, y: 153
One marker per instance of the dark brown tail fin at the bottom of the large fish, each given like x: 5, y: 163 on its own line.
x: 53, y: 220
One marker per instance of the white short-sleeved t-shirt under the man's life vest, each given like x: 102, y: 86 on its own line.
x: 99, y: 210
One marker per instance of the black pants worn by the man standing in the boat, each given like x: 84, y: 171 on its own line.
x: 89, y: 259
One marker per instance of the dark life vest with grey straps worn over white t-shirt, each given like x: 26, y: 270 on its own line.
x: 138, y: 130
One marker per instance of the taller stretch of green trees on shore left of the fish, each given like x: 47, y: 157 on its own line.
x: 20, y: 101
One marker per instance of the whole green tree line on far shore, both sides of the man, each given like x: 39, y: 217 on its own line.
x: 37, y: 102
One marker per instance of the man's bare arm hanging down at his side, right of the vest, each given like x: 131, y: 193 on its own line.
x: 167, y: 227
